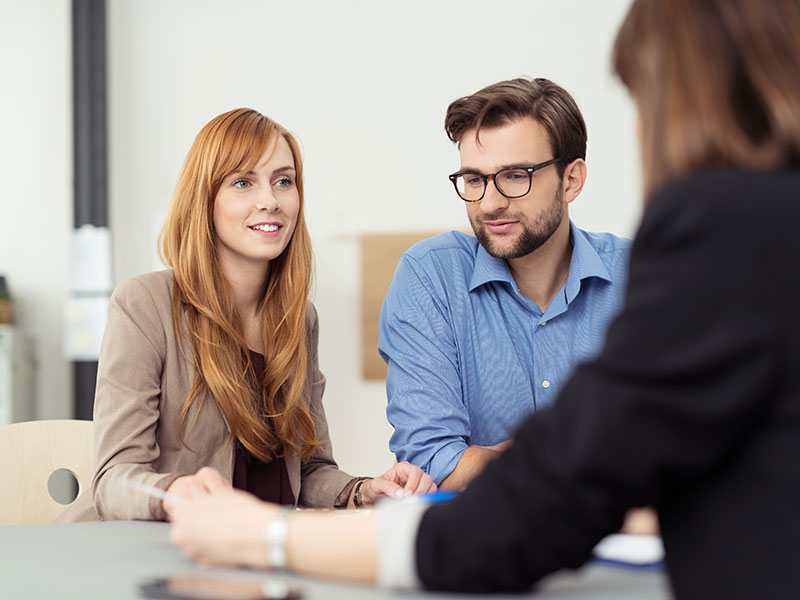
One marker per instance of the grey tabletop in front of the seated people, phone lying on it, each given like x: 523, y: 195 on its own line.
x: 108, y: 561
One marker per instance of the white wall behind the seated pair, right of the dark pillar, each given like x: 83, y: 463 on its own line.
x: 364, y: 85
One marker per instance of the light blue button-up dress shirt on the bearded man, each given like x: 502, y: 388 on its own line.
x: 469, y: 356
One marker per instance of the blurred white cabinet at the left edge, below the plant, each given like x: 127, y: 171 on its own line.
x: 16, y: 377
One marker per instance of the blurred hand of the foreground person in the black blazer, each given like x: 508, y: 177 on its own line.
x: 222, y: 527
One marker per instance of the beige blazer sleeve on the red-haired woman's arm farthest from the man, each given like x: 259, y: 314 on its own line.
x: 126, y: 408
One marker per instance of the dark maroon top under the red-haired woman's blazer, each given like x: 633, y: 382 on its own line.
x: 268, y: 481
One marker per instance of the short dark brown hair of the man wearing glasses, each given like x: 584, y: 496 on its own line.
x: 506, y: 101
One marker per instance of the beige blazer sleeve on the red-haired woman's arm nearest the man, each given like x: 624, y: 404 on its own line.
x: 321, y: 481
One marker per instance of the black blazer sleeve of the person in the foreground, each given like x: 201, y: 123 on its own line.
x: 687, y: 374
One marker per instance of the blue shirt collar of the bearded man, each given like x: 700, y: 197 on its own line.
x: 584, y: 263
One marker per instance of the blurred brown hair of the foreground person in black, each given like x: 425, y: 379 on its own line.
x: 716, y: 82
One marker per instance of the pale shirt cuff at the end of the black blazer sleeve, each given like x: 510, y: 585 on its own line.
x: 398, y: 522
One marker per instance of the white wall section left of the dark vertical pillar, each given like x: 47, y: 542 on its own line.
x: 36, y: 175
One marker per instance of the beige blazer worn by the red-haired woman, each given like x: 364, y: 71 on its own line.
x: 143, y: 380
